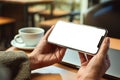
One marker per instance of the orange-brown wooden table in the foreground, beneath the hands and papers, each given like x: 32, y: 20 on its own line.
x: 59, y: 71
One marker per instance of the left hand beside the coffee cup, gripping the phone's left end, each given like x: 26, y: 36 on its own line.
x: 46, y: 54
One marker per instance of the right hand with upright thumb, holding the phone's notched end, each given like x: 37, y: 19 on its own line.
x: 95, y: 67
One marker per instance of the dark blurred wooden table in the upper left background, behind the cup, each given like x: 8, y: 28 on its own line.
x: 18, y: 9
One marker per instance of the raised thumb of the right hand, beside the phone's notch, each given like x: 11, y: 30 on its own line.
x: 104, y: 47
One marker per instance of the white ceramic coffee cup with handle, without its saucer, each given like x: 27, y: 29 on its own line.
x: 29, y: 35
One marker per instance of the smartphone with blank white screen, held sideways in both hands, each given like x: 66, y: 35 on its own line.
x: 83, y: 38
